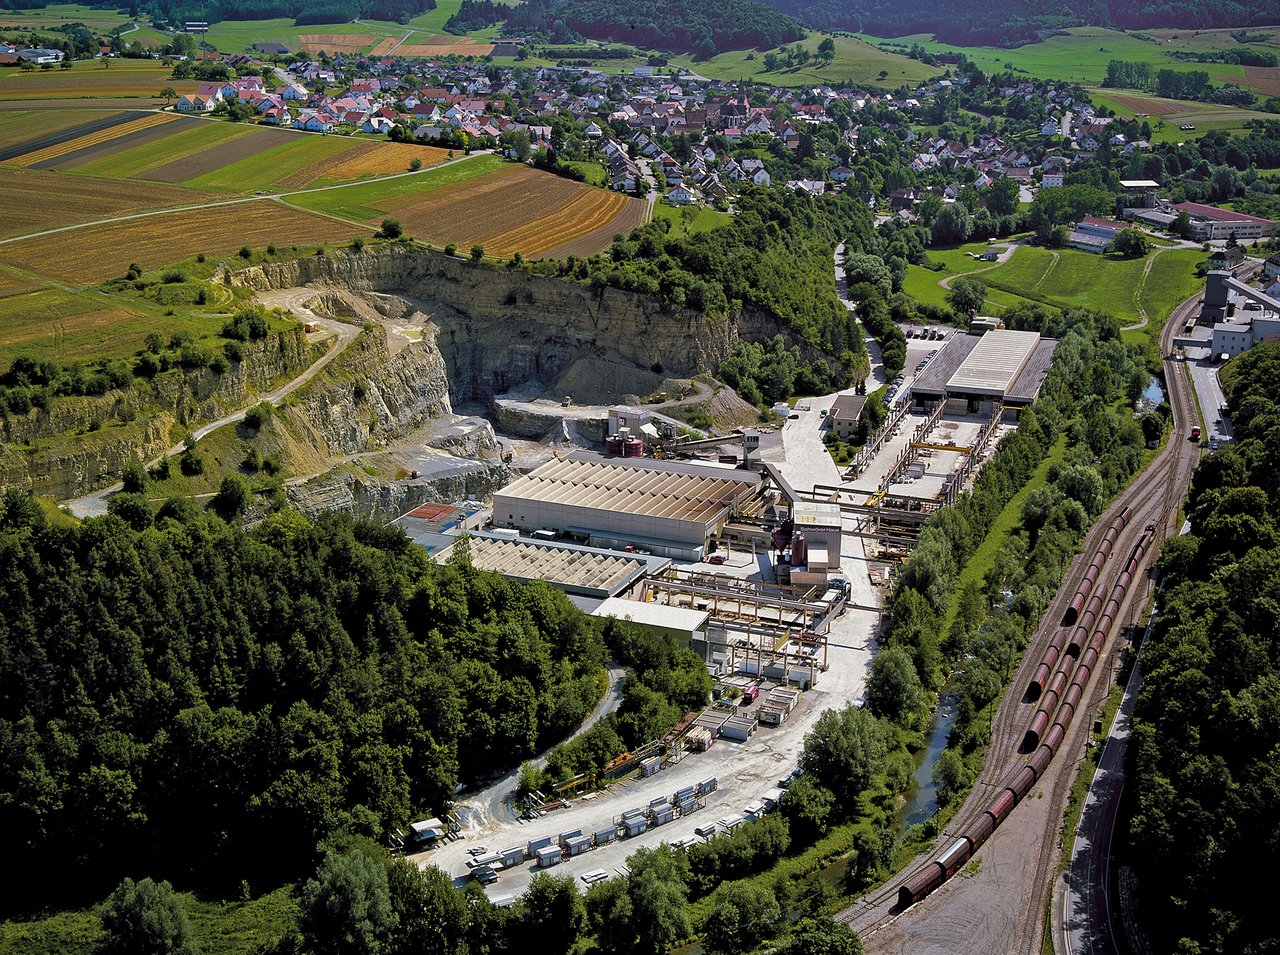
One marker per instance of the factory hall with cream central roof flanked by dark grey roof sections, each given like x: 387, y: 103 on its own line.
x: 977, y: 374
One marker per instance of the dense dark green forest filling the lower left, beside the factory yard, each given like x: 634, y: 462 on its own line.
x: 182, y: 694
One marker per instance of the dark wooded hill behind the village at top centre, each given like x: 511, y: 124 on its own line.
x: 679, y: 26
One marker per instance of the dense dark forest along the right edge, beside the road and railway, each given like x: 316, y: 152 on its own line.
x: 1206, y: 739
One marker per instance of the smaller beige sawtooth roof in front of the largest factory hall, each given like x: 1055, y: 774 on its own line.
x: 572, y: 569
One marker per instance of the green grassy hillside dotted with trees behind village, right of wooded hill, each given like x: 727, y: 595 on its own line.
x: 856, y: 62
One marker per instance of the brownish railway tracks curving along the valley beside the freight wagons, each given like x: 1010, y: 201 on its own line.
x: 1153, y: 497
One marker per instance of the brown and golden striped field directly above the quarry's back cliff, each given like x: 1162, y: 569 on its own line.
x: 502, y: 207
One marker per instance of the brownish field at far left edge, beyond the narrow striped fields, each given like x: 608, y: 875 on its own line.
x: 140, y: 80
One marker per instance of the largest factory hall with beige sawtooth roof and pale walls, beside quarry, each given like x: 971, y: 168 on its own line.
x: 669, y: 509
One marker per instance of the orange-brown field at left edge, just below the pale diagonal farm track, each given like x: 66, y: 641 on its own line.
x: 99, y: 253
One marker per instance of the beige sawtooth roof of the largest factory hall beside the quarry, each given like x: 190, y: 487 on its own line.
x: 651, y: 488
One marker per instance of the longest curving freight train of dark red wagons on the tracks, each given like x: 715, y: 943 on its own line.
x: 1043, y: 751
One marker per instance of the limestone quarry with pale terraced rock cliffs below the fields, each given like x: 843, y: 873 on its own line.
x: 450, y: 376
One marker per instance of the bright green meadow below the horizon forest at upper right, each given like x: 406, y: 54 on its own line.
x: 1082, y: 56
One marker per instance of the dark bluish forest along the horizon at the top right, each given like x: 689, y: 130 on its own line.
x: 1014, y: 22
